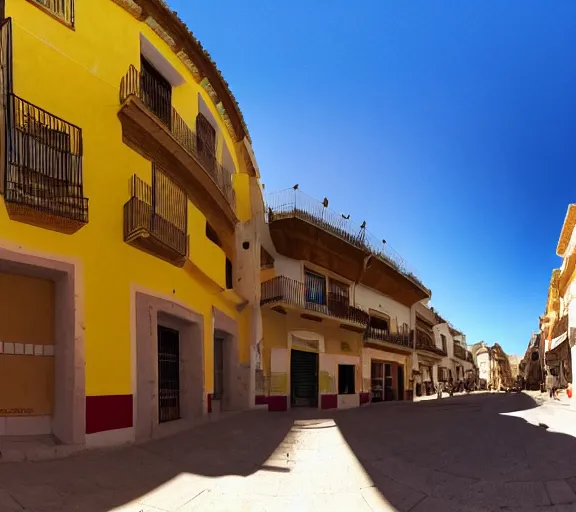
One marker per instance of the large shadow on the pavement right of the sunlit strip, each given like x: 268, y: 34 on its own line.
x: 464, y: 453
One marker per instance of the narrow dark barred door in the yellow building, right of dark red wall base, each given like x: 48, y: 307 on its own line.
x: 168, y: 374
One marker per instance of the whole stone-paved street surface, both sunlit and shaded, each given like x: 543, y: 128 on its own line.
x: 480, y: 452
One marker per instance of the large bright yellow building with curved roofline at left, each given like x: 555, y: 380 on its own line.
x: 129, y: 258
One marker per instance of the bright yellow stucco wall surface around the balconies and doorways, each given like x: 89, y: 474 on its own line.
x: 75, y: 75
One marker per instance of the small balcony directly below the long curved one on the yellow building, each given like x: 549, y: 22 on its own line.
x: 156, y: 219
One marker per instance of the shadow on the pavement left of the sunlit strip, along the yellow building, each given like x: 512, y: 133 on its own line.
x: 98, y: 481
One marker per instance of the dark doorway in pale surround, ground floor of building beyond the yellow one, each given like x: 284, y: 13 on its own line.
x: 303, y: 379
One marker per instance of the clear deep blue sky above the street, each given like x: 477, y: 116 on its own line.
x: 447, y: 125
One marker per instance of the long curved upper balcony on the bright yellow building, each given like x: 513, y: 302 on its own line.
x: 152, y: 126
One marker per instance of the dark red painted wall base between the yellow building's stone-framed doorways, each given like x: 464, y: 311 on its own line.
x: 108, y: 412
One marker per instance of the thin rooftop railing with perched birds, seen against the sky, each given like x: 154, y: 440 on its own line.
x: 294, y: 203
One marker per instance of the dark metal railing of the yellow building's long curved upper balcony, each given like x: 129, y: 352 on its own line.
x: 153, y: 95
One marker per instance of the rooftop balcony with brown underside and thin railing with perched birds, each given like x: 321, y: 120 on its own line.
x: 302, y: 228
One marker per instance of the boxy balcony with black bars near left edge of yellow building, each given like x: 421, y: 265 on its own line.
x: 43, y: 182
